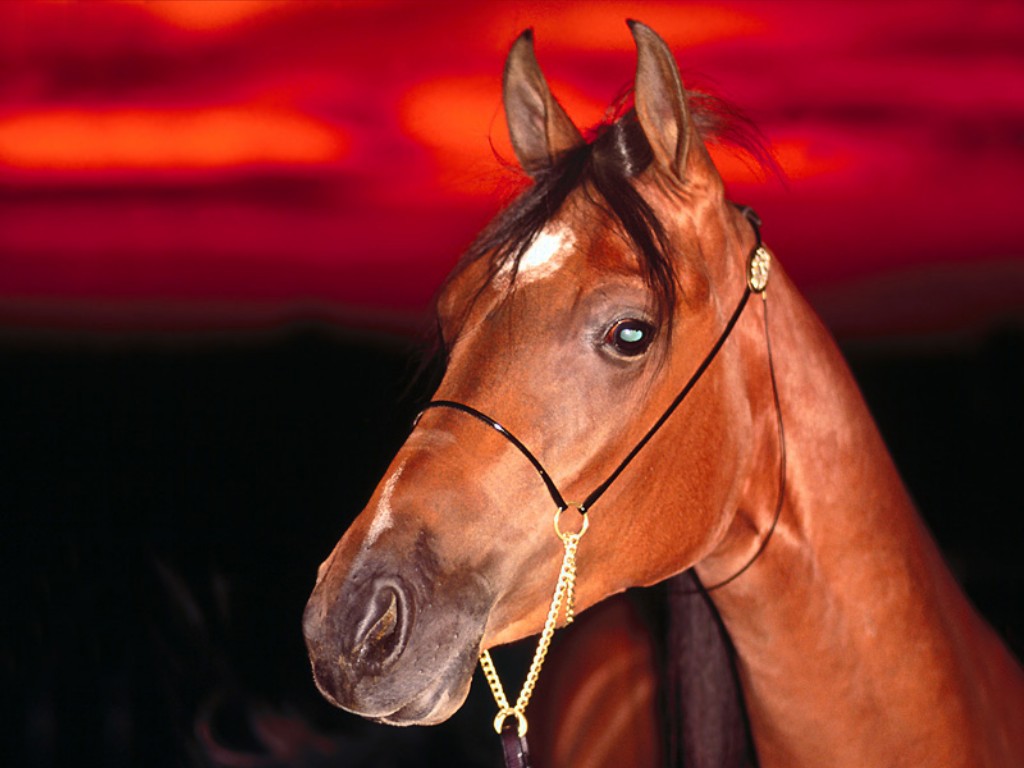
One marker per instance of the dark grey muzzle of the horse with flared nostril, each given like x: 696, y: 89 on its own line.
x: 396, y: 639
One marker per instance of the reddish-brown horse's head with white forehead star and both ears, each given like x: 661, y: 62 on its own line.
x: 573, y: 321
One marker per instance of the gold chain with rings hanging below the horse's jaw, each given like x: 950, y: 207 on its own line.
x: 565, y: 590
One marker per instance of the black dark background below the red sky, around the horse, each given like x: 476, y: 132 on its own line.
x: 167, y: 504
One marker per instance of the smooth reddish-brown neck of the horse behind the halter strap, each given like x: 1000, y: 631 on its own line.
x: 849, y: 629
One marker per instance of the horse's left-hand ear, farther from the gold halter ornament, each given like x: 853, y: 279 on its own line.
x: 540, y: 129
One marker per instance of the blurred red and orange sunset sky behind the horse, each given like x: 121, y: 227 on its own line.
x: 209, y: 165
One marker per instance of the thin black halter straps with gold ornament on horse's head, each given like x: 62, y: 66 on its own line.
x: 758, y: 266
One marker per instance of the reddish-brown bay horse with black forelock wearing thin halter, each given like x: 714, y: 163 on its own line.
x: 608, y: 339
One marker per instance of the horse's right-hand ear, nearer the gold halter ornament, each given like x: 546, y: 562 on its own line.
x: 662, y: 109
